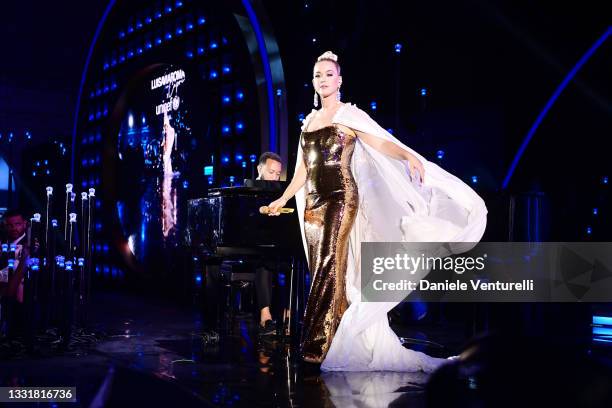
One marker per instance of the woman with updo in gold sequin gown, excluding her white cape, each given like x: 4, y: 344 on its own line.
x: 331, y: 206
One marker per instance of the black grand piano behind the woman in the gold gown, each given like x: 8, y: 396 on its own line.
x: 226, y: 227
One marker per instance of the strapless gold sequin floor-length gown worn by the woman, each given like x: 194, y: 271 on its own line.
x: 331, y: 208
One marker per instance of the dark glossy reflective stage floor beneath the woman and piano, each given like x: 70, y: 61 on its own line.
x: 151, y: 353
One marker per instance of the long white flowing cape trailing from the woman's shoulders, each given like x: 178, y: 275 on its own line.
x: 392, y: 208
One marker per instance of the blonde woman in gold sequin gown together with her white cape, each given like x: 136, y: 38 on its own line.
x: 355, y: 182
